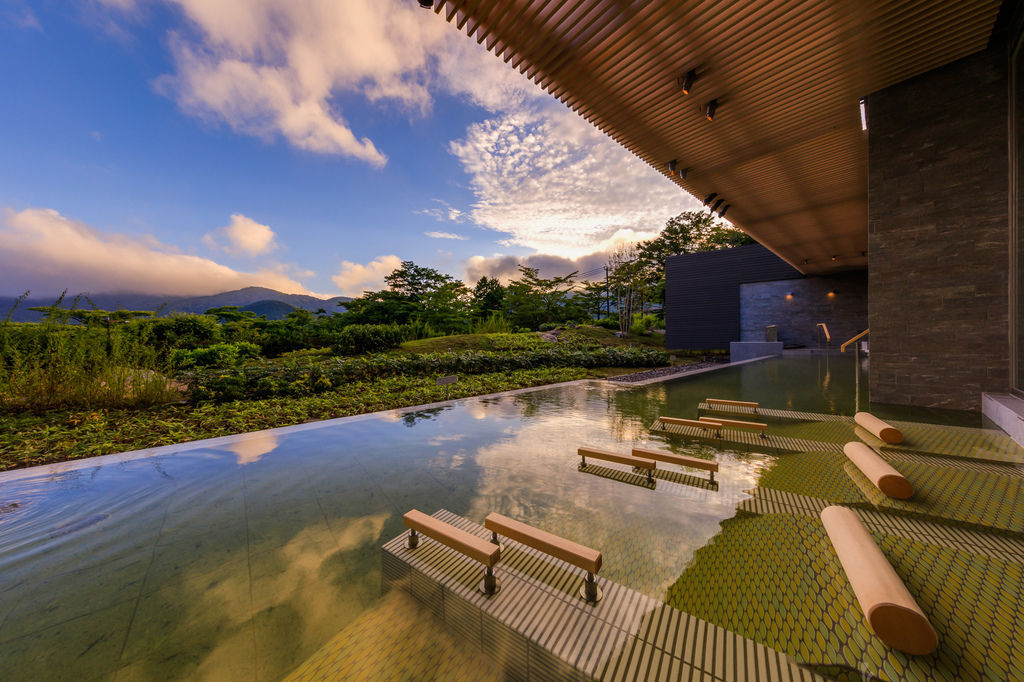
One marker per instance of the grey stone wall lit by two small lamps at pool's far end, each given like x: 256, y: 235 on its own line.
x: 766, y: 304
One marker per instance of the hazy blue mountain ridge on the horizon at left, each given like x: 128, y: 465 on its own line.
x: 266, y: 300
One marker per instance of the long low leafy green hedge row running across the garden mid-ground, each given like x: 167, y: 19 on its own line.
x: 294, y: 380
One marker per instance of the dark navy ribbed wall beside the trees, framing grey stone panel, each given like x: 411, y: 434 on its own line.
x: 702, y: 293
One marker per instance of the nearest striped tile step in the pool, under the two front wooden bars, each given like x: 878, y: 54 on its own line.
x: 538, y: 628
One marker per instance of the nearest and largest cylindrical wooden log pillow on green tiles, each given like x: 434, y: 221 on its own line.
x: 891, y: 611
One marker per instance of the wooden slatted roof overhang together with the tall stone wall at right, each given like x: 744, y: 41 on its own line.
x: 841, y: 135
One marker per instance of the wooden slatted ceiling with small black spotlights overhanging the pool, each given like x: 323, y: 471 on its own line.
x: 786, y: 148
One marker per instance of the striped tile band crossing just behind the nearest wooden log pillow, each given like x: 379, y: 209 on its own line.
x: 1005, y: 546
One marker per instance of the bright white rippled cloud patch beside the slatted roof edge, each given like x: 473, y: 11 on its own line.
x: 557, y: 185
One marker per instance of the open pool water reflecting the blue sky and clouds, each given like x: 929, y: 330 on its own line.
x: 242, y: 558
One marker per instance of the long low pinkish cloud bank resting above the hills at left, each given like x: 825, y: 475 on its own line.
x: 44, y: 251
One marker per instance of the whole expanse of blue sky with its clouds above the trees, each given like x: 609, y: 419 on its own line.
x: 190, y: 147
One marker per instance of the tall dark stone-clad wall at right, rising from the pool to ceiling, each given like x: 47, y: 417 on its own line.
x: 938, y: 236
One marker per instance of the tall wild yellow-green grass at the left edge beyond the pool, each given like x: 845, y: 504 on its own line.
x: 61, y: 365
